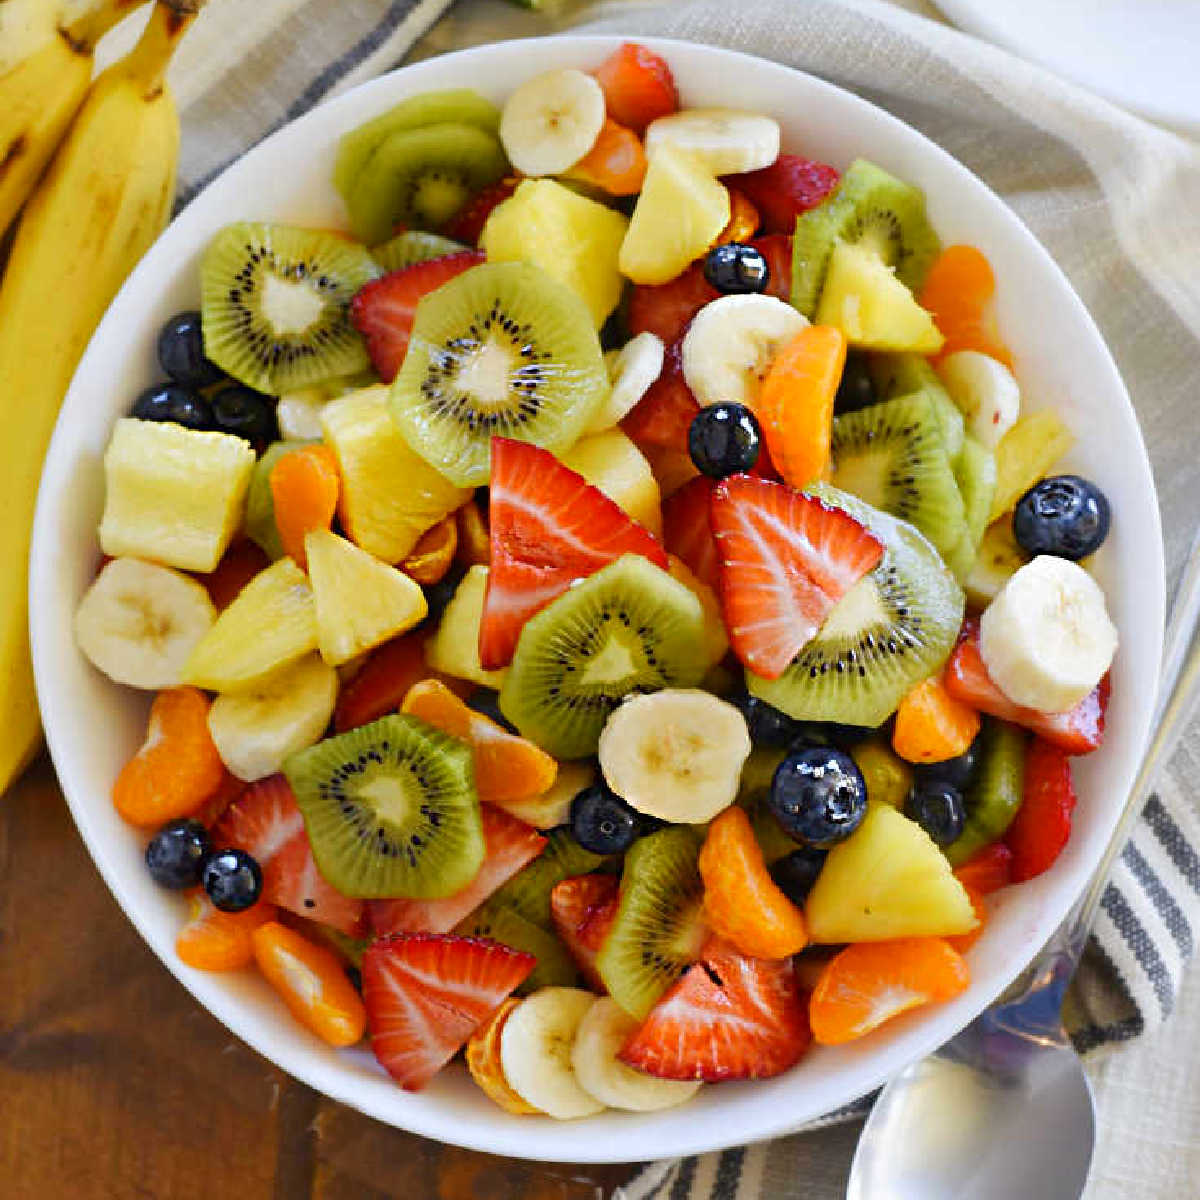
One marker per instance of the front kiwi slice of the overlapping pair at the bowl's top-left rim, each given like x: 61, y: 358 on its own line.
x: 422, y: 179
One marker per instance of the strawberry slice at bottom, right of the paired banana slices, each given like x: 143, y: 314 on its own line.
x: 729, y: 1017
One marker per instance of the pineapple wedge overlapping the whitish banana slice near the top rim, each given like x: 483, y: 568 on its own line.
x: 680, y: 214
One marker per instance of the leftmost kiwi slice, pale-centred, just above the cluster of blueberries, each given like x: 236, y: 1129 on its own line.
x: 275, y: 305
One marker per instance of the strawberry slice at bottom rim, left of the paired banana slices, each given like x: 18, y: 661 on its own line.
x: 425, y: 994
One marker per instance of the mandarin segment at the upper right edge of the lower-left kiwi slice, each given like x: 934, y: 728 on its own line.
x: 507, y: 767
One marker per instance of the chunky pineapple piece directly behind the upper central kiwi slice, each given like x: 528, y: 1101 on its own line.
x: 568, y: 236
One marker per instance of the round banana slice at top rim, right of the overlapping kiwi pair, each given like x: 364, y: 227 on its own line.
x: 553, y: 122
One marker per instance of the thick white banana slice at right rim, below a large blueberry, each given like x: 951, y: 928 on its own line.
x: 1047, y: 639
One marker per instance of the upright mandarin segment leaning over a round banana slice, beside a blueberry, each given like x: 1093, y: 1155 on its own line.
x: 795, y: 405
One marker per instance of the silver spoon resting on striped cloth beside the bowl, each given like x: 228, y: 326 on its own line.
x: 1005, y: 1109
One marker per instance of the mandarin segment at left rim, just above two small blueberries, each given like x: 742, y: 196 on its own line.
x: 178, y: 767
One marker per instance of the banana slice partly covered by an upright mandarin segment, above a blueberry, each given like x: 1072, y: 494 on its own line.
x: 731, y: 344
